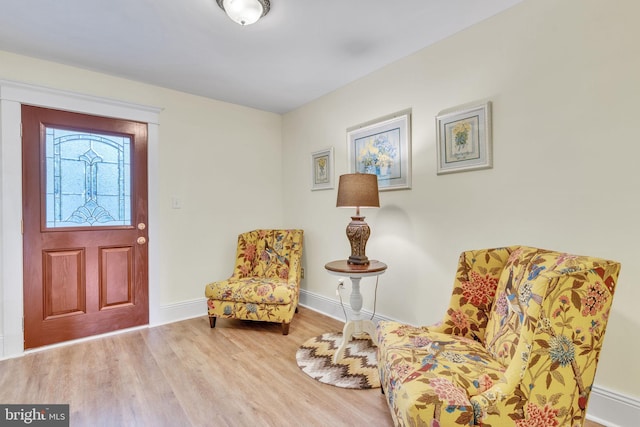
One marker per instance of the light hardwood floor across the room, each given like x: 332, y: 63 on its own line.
x: 186, y: 374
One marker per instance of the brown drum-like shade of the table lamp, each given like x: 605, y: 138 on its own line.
x: 358, y: 190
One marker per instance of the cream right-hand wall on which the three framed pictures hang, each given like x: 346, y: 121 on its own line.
x: 564, y: 80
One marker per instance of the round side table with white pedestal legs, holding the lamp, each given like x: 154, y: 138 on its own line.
x: 356, y: 326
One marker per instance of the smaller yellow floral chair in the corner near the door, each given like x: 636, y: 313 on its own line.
x: 265, y: 284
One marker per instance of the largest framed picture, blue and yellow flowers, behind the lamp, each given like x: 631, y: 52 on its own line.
x: 383, y: 147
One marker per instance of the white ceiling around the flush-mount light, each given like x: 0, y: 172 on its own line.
x: 300, y: 51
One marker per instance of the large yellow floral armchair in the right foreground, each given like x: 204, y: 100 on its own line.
x: 518, y: 346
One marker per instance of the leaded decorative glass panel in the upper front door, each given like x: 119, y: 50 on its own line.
x: 88, y: 179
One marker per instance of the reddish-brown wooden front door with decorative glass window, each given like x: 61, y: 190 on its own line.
x: 84, y: 225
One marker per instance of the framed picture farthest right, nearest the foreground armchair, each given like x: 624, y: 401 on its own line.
x: 464, y: 139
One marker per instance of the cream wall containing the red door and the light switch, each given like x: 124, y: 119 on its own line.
x: 222, y: 161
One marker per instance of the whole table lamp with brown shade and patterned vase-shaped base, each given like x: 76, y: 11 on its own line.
x: 358, y: 190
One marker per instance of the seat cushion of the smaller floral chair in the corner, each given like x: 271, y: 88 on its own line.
x: 251, y: 290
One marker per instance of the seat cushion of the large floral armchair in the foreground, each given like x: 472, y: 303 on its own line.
x: 432, y: 368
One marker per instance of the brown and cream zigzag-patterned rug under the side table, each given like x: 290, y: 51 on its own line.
x: 358, y: 369
